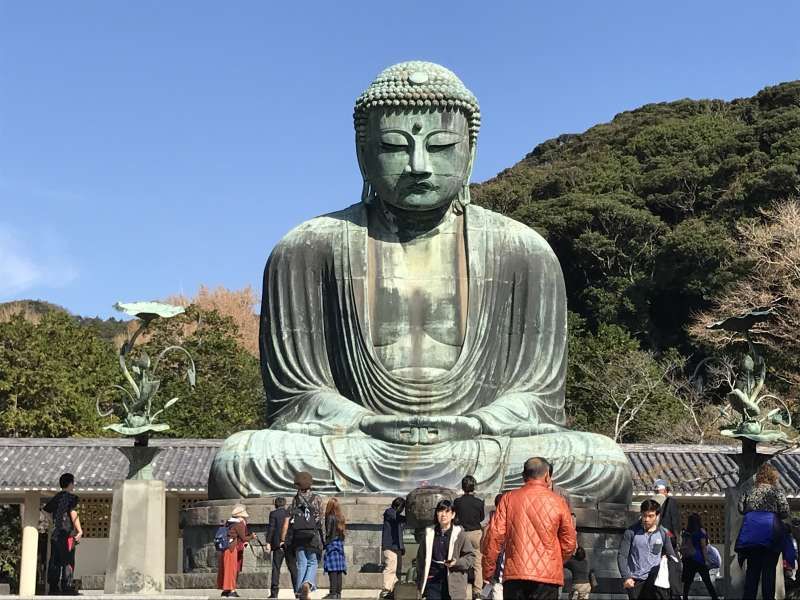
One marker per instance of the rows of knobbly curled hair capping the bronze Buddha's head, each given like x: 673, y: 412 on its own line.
x: 420, y: 85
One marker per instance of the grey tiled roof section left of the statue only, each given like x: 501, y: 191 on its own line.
x: 37, y: 463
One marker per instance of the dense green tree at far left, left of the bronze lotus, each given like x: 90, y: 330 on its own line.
x: 51, y: 374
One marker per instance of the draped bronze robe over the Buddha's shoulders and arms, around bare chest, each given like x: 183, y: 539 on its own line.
x: 320, y: 368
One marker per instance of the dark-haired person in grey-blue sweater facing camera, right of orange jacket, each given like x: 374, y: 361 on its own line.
x: 640, y: 552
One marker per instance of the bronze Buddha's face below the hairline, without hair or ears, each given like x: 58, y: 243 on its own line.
x: 417, y: 160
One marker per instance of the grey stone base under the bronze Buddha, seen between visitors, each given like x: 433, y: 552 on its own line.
x: 600, y: 529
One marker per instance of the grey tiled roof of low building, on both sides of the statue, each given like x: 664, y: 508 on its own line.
x: 36, y: 463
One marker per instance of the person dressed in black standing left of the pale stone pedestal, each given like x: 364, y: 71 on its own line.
x: 67, y: 532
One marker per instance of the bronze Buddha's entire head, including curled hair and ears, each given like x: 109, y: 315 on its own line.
x: 416, y: 130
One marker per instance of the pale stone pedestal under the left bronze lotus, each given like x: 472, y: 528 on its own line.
x: 136, y: 541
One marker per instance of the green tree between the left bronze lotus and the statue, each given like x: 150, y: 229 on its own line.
x: 229, y: 395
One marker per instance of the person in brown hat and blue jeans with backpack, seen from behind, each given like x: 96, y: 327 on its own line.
x: 302, y: 534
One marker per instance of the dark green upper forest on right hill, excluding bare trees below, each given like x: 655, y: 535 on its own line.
x: 641, y: 211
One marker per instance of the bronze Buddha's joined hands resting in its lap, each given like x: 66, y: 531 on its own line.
x: 416, y: 430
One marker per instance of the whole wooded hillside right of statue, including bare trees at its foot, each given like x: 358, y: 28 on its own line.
x: 653, y: 218
